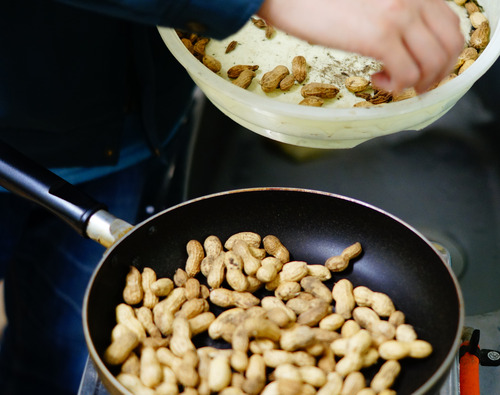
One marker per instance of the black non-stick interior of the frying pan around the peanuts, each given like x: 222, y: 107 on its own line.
x: 313, y: 226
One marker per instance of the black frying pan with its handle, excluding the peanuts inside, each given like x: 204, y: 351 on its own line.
x: 314, y: 225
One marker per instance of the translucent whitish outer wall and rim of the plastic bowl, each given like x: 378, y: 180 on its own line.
x: 334, y: 128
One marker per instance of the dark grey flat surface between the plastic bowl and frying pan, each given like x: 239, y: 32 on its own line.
x: 443, y: 180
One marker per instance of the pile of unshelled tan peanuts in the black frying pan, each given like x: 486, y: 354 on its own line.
x: 302, y: 338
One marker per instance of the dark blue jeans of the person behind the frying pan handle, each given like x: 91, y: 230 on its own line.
x: 43, y: 349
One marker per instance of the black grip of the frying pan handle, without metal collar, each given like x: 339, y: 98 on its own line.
x: 24, y: 177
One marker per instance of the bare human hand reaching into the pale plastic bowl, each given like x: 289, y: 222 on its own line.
x: 418, y: 41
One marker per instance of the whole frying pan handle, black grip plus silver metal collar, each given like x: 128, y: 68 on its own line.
x: 32, y: 181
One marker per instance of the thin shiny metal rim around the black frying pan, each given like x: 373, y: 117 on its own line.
x: 438, y: 375
